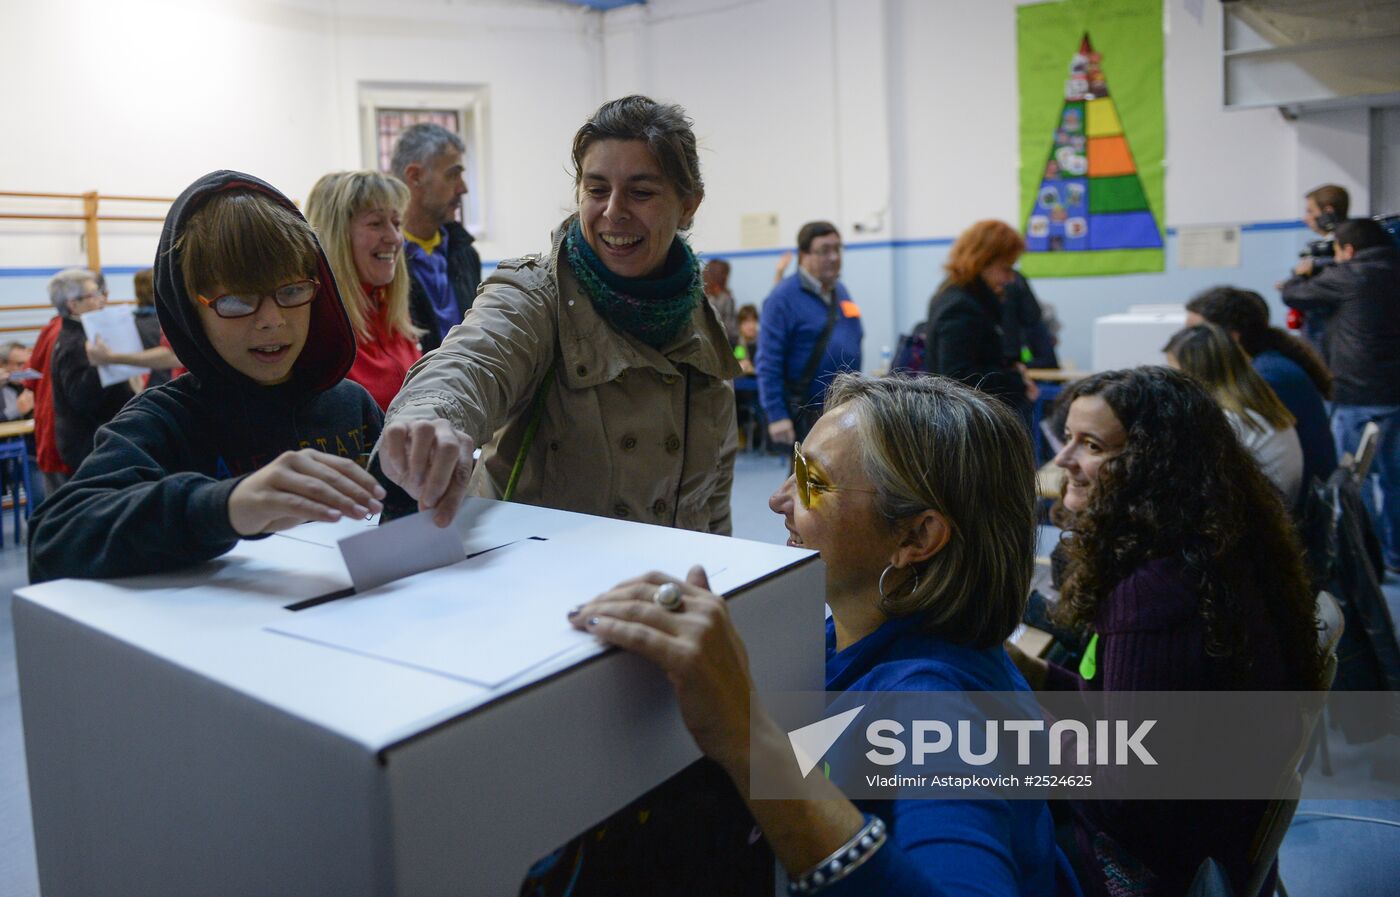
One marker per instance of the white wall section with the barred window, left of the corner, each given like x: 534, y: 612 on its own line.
x: 145, y: 96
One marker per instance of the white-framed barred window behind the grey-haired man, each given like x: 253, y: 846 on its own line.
x: 387, y: 110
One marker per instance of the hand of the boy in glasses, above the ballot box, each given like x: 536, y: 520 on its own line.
x: 299, y: 488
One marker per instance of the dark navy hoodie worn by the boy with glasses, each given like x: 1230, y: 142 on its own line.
x: 153, y: 495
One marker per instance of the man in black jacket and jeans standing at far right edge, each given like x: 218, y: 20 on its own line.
x: 1363, y: 295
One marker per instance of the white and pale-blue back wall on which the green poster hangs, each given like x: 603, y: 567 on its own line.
x: 846, y: 108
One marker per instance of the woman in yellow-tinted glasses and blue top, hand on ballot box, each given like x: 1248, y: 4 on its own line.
x: 919, y: 495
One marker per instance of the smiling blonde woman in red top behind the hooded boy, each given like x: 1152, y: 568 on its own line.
x: 358, y: 215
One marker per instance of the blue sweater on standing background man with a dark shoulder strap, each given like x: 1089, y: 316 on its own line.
x: 793, y: 321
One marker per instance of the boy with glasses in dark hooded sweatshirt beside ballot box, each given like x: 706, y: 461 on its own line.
x: 262, y: 435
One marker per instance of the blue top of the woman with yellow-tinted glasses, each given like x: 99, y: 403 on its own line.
x: 947, y: 847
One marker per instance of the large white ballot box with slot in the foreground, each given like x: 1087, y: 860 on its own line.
x: 253, y: 727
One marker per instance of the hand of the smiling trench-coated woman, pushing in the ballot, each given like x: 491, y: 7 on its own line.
x: 432, y: 462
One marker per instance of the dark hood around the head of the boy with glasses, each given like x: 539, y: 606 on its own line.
x: 330, y: 351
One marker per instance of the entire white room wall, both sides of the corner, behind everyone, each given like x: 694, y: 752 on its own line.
x: 897, y: 115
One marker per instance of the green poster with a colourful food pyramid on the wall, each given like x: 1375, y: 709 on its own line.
x: 1093, y: 138
